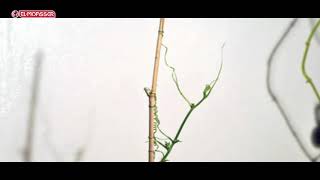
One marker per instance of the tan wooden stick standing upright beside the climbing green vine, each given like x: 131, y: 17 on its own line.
x: 152, y: 96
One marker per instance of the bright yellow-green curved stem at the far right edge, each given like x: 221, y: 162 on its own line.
x: 304, y: 60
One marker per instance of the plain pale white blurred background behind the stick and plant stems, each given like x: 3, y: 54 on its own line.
x: 78, y: 85
